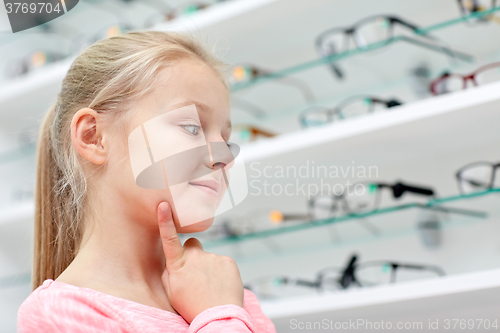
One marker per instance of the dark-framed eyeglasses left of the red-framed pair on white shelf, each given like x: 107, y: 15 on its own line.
x: 349, y: 107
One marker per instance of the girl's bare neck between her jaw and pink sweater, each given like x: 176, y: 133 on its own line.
x: 120, y: 257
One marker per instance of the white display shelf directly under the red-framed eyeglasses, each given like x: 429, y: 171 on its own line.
x: 442, y: 123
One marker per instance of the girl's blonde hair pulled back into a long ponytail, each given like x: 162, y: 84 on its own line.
x: 104, y: 77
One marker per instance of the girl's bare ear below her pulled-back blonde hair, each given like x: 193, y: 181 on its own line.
x: 87, y: 136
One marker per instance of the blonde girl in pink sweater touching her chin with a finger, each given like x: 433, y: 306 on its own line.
x: 107, y: 256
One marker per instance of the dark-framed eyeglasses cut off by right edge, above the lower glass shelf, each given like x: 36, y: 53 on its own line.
x: 478, y: 176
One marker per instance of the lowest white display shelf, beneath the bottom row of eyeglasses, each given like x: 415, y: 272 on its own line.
x: 418, y: 294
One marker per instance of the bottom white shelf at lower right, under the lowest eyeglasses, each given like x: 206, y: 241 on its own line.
x: 442, y: 295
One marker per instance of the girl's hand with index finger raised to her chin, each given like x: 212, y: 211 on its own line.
x: 195, y: 280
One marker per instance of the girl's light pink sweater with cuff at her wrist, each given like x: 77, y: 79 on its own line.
x: 60, y: 307
